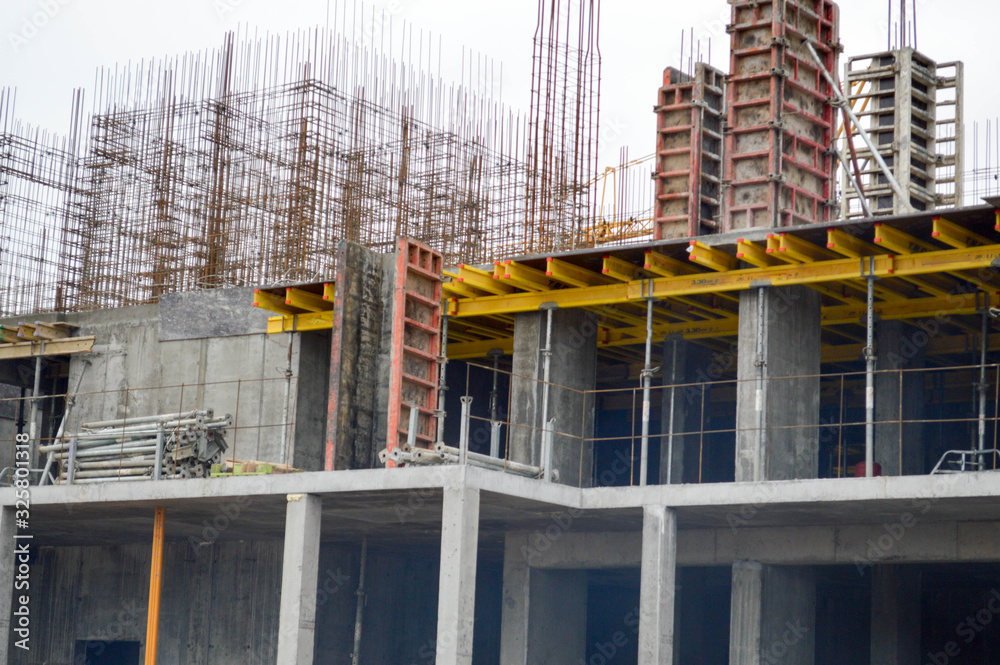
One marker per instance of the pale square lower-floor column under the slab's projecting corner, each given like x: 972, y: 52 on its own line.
x: 457, y: 585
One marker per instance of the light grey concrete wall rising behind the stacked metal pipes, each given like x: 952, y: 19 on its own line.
x: 159, y: 359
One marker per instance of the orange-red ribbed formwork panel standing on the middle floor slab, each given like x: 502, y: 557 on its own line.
x: 416, y: 344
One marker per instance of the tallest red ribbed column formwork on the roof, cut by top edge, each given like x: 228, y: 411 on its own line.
x: 779, y: 165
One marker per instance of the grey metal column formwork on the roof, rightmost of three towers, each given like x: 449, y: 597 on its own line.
x: 912, y: 108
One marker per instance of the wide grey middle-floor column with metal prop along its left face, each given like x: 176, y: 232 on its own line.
x: 777, y: 421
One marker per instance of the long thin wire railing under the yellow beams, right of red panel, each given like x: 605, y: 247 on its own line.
x: 926, y: 420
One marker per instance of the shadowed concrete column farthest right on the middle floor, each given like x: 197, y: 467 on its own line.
x: 899, y: 449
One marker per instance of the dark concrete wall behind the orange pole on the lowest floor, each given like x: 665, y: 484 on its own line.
x: 219, y: 606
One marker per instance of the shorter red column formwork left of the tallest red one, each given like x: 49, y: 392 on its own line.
x: 689, y: 118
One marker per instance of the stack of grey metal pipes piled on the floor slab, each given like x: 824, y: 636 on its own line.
x: 173, y: 445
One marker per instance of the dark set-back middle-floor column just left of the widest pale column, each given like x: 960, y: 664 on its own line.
x: 684, y: 363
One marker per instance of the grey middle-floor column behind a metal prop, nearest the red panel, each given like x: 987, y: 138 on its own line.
x: 573, y: 369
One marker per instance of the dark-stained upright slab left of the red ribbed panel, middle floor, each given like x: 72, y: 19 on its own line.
x: 354, y: 363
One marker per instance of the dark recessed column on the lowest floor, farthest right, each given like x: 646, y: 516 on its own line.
x: 895, y: 633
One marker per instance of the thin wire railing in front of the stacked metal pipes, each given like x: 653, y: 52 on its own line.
x: 74, y: 443
